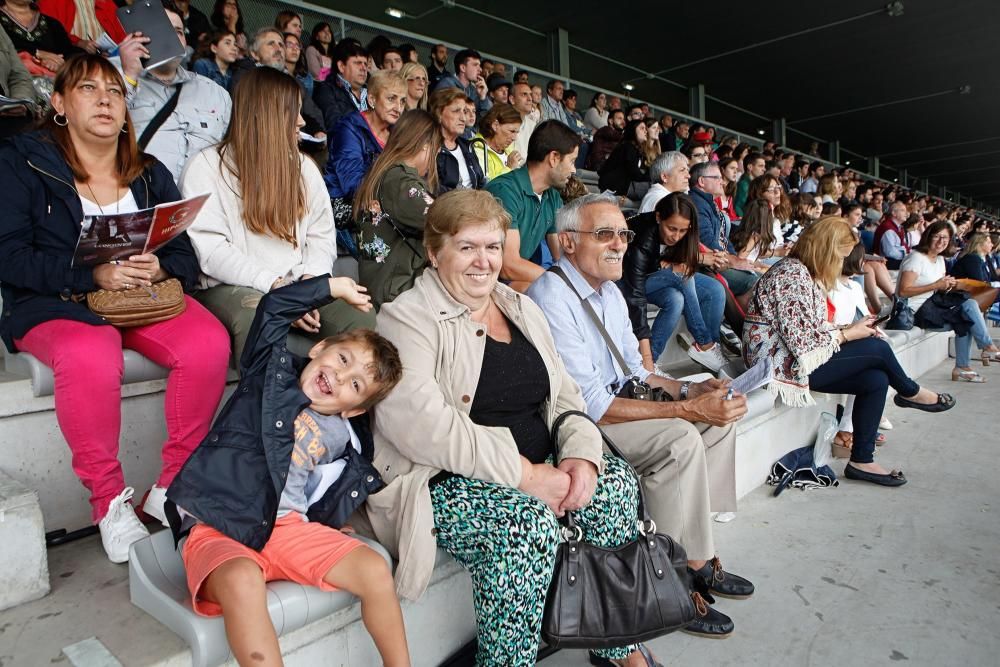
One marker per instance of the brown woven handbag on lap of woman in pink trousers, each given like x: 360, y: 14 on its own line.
x: 139, y: 306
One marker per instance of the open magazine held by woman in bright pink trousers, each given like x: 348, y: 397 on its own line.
x: 118, y: 236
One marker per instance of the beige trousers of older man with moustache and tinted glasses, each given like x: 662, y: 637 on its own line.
x: 687, y: 471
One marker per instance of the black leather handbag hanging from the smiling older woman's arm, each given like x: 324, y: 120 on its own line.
x: 606, y: 598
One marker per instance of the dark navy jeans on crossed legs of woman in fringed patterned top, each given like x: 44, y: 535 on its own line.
x: 865, y: 368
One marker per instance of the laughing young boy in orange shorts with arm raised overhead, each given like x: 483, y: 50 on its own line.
x: 280, y: 472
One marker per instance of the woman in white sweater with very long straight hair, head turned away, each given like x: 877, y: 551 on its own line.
x: 268, y: 221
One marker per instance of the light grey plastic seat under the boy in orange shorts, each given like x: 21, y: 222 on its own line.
x: 158, y: 586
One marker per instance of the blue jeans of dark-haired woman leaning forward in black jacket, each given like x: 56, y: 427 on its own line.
x: 701, y: 298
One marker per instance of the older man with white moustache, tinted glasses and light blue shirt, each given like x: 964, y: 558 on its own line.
x: 683, y: 450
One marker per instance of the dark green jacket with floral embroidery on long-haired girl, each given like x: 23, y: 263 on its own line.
x: 390, y: 235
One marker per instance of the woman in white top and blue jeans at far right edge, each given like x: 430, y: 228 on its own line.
x: 922, y: 274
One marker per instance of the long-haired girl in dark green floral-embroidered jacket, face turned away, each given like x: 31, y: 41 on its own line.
x: 390, y: 206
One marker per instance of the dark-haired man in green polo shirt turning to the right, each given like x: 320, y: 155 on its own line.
x: 531, y: 196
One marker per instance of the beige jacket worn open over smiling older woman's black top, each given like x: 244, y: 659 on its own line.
x: 423, y: 427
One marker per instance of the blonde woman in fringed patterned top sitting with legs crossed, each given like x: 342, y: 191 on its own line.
x: 790, y: 321
